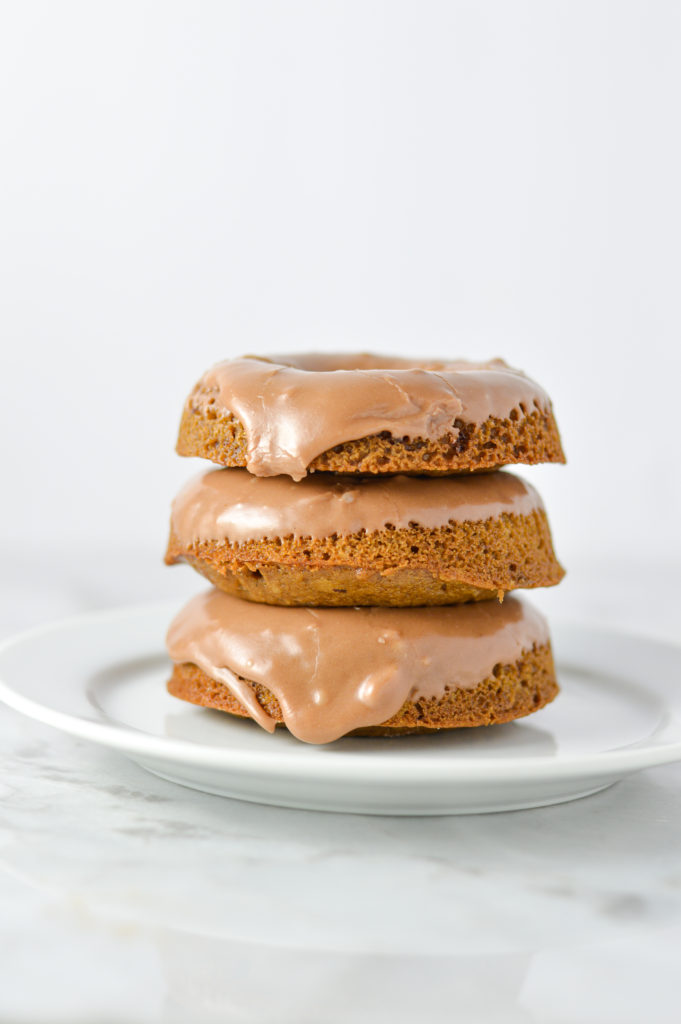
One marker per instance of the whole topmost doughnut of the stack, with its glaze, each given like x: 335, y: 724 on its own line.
x: 360, y: 413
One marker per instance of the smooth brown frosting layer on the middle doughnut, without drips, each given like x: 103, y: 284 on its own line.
x: 233, y: 505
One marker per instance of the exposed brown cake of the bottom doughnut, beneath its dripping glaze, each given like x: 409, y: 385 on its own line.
x: 510, y: 693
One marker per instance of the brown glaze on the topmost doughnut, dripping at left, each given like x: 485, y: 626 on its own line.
x: 293, y: 408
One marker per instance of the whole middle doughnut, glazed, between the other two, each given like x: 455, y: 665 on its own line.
x: 358, y: 541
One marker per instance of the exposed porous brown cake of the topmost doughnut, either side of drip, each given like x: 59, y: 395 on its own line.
x: 528, y: 437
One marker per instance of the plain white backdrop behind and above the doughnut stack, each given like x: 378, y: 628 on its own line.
x: 181, y: 183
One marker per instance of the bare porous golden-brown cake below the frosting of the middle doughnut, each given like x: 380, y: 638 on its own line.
x: 462, y: 562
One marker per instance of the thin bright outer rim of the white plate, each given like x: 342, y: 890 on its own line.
x: 292, y: 763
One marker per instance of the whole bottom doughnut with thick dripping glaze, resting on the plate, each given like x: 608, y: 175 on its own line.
x: 327, y: 673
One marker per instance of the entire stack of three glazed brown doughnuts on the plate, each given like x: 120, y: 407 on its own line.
x: 361, y: 539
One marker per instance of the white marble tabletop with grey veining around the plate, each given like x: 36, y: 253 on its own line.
x: 124, y: 899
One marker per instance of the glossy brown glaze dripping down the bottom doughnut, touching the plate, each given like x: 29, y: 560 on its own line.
x: 335, y: 670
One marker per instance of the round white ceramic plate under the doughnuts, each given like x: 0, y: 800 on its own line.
x: 103, y: 677
